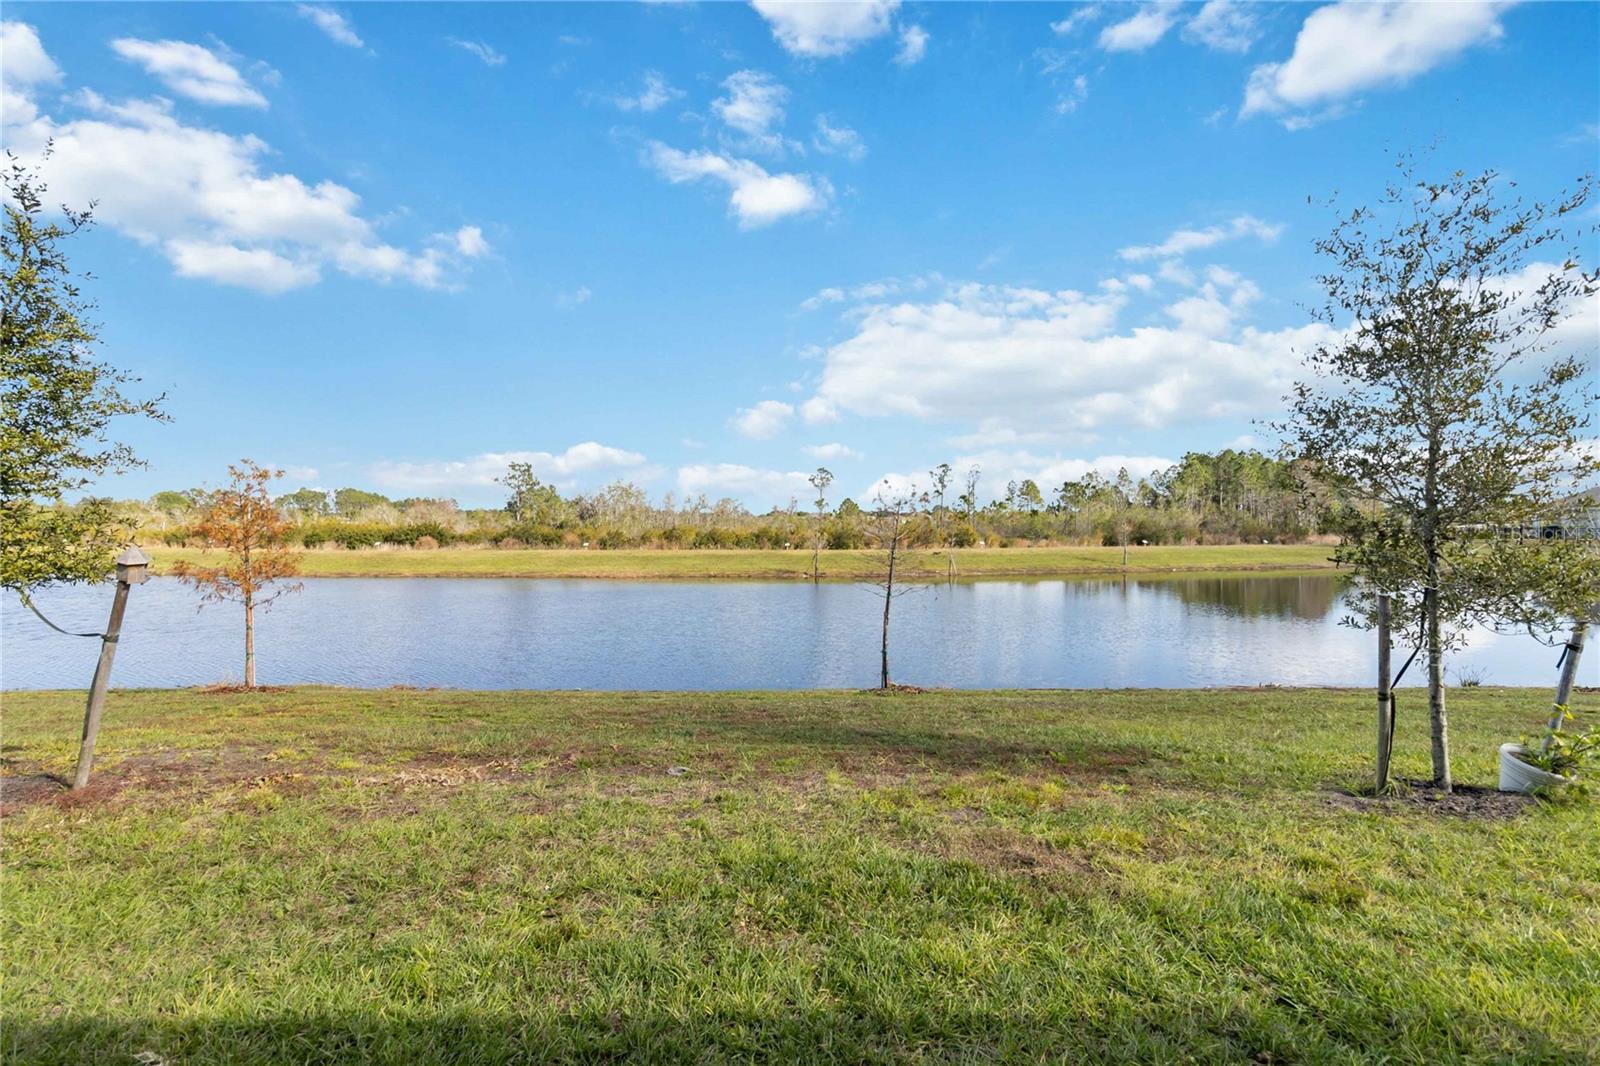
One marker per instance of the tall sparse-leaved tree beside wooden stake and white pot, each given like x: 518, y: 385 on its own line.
x: 1444, y: 403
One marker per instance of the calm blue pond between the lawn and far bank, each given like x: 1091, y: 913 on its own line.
x: 481, y: 633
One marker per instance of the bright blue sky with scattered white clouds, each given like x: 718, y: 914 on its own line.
x: 710, y: 247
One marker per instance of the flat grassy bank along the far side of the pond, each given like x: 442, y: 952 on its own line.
x: 842, y: 566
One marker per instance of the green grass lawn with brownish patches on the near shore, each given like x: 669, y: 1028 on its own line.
x: 332, y: 876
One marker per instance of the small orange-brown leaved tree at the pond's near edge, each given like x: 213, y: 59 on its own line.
x: 242, y: 523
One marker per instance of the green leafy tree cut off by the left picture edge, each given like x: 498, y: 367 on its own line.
x: 57, y: 403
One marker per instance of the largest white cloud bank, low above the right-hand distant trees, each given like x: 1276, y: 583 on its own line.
x: 1062, y: 364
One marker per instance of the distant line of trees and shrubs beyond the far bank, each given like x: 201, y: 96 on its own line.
x: 1231, y: 497
